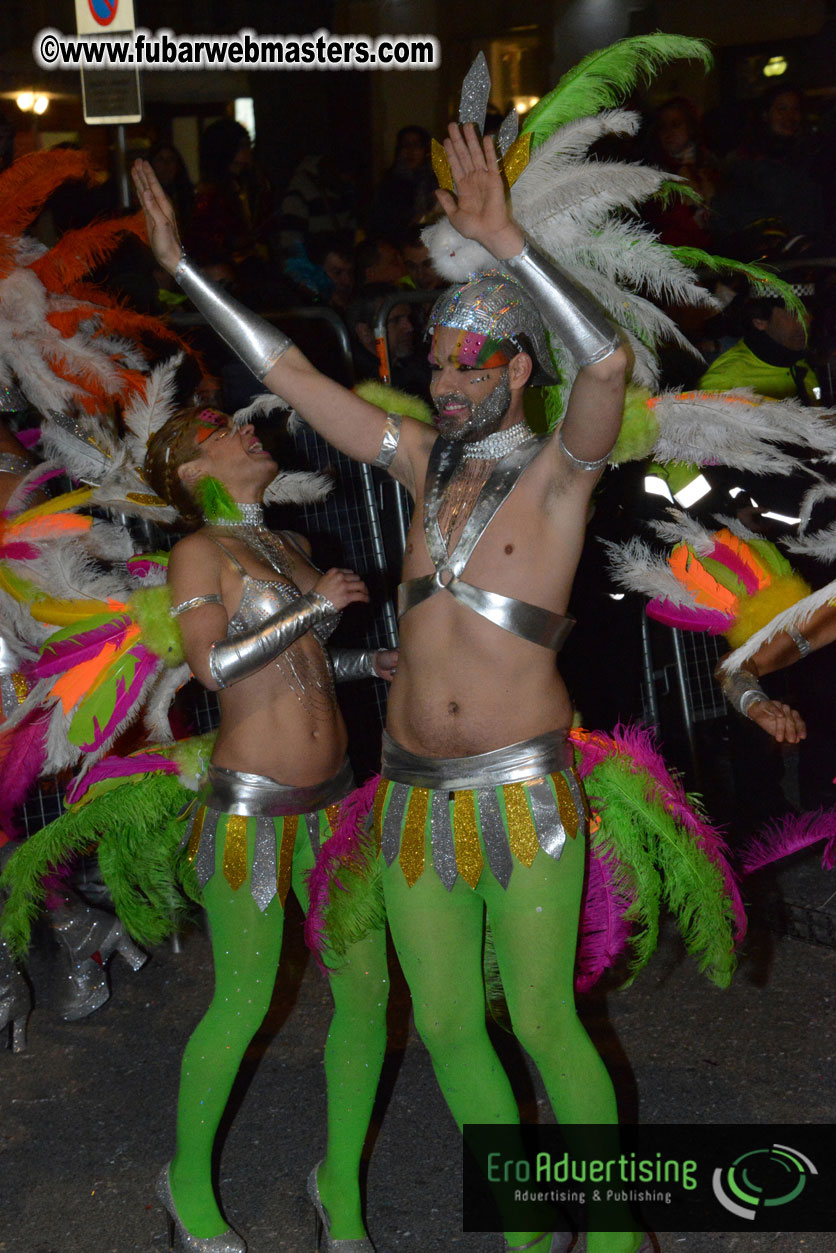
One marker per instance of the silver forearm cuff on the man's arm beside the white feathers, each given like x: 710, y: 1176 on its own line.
x: 566, y: 309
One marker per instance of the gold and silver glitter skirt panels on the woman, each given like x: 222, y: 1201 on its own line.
x: 255, y: 849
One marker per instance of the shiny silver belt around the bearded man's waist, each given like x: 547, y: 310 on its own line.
x: 515, y: 764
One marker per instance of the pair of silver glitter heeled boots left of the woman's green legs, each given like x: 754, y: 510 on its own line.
x: 83, y: 932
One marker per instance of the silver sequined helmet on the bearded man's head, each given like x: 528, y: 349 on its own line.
x: 494, y: 306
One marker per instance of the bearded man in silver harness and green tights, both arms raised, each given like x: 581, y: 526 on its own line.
x: 482, y: 808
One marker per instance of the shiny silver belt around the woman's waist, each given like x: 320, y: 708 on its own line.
x: 260, y: 796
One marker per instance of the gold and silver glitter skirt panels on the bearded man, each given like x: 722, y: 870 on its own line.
x: 466, y: 833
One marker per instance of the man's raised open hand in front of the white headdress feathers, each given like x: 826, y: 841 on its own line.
x: 479, y: 211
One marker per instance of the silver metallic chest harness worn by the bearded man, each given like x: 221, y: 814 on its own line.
x: 530, y: 622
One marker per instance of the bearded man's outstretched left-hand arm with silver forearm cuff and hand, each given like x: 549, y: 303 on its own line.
x: 360, y: 430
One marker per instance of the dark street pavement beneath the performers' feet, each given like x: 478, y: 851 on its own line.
x: 88, y: 1110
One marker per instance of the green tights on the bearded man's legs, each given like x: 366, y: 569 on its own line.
x: 535, y: 920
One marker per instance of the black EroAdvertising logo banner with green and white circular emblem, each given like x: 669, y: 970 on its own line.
x: 651, y: 1177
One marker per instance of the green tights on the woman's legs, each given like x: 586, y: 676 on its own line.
x: 246, y: 947
